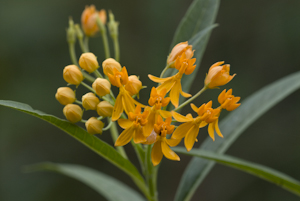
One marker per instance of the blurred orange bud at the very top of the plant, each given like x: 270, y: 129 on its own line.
x: 89, y: 20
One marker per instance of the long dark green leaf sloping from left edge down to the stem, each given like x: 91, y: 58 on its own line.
x: 92, y: 142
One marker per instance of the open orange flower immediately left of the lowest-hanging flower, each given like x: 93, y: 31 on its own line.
x: 133, y: 127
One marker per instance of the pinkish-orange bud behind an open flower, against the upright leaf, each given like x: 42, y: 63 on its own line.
x: 177, y: 51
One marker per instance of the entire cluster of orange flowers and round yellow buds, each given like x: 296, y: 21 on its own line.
x: 146, y: 124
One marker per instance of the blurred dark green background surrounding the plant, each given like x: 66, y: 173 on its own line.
x: 260, y: 39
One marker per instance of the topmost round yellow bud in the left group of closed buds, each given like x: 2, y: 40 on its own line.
x: 88, y: 61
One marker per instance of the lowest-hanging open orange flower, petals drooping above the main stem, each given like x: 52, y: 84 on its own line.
x: 161, y: 146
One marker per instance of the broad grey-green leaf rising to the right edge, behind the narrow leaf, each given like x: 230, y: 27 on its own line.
x: 231, y: 127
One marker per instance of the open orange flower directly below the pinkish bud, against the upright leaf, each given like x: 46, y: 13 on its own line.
x: 173, y: 83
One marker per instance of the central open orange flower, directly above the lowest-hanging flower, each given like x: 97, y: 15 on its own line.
x: 156, y: 100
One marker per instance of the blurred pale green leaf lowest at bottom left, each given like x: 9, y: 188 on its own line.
x: 107, y: 186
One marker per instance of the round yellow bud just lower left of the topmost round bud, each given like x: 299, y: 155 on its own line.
x: 72, y: 75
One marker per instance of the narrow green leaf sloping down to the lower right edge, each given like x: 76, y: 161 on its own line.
x: 261, y: 171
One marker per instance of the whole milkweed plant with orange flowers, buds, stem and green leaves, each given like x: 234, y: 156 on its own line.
x: 154, y: 128
